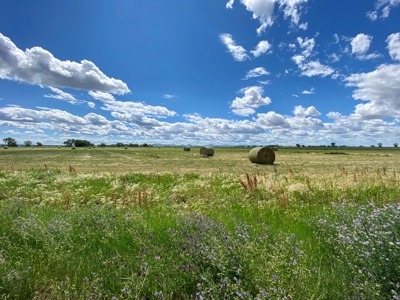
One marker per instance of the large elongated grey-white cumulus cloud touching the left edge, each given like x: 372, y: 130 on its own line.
x: 38, y: 66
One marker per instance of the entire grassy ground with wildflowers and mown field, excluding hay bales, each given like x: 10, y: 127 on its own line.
x: 163, y: 223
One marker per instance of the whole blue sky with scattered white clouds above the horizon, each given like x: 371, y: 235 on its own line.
x: 209, y: 72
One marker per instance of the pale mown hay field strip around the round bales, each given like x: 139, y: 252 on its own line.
x: 161, y: 160
